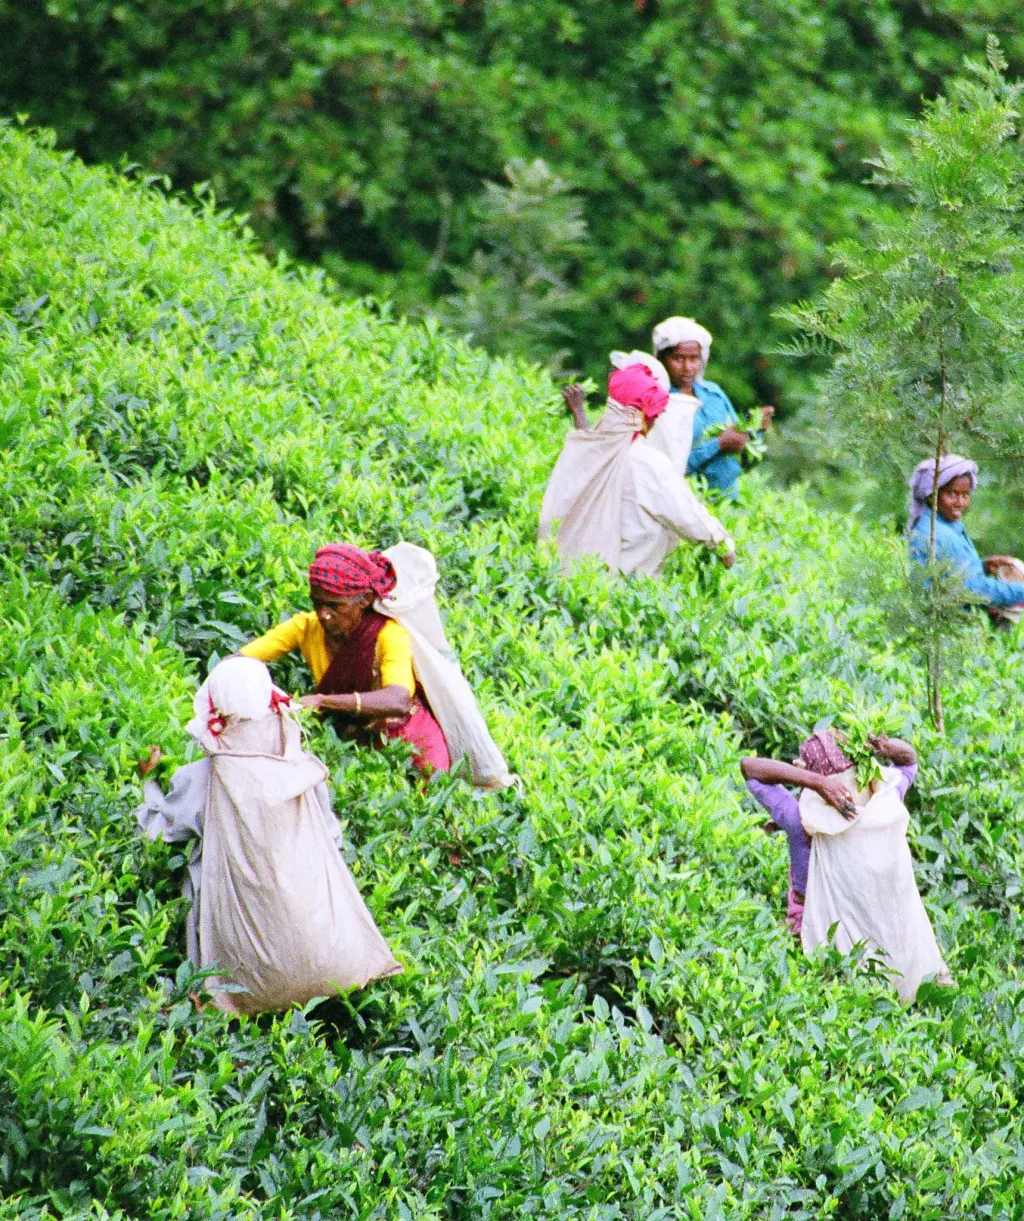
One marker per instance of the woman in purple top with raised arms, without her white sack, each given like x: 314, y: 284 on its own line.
x: 820, y: 767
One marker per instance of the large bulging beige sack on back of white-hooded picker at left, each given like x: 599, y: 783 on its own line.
x: 280, y: 914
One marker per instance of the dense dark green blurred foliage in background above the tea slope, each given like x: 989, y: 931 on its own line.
x: 717, y: 148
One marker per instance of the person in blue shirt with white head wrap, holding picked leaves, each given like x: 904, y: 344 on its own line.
x: 684, y: 346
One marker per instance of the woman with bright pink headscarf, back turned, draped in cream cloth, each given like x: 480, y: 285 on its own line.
x: 615, y: 496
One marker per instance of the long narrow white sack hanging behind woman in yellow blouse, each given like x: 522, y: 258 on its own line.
x: 412, y: 604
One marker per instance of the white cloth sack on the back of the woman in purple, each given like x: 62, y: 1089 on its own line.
x: 862, y: 880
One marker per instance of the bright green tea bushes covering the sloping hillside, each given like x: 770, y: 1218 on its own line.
x: 602, y: 1015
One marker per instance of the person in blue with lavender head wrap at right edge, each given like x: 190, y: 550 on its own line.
x: 957, y: 482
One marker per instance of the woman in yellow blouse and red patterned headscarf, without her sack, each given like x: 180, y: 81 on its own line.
x: 362, y: 660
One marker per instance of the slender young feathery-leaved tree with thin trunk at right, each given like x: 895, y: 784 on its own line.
x: 927, y: 319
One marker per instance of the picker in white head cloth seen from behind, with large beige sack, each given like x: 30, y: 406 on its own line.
x: 274, y: 907
